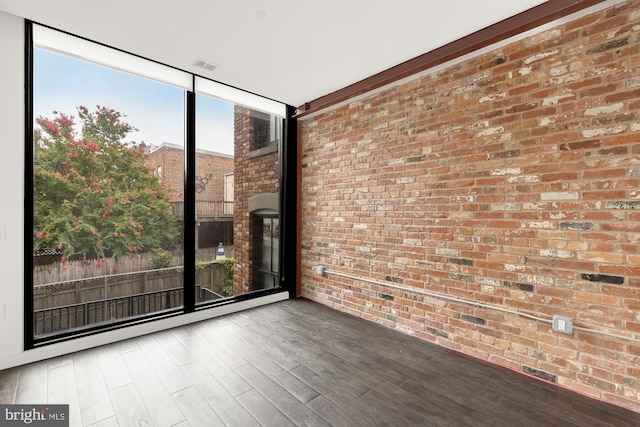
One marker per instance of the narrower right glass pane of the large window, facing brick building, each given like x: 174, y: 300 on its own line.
x: 235, y: 175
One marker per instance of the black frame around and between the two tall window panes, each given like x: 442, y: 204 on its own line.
x: 288, y: 197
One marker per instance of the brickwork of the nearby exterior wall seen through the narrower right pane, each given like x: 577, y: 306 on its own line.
x: 253, y: 176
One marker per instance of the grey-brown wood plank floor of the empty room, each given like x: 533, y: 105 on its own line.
x: 294, y: 363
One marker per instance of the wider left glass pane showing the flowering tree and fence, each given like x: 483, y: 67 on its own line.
x: 106, y: 220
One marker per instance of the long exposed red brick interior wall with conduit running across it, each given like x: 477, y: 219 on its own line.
x: 512, y: 179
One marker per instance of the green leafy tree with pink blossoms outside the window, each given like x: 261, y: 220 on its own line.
x: 94, y: 197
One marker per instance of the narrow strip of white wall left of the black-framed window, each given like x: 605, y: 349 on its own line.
x: 11, y: 184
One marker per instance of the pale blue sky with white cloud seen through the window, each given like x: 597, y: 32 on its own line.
x: 157, y: 110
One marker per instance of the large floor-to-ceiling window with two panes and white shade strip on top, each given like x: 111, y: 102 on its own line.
x: 116, y: 190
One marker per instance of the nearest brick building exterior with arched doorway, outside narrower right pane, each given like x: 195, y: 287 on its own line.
x: 256, y: 179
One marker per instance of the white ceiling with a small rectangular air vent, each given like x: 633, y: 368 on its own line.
x: 292, y: 51
